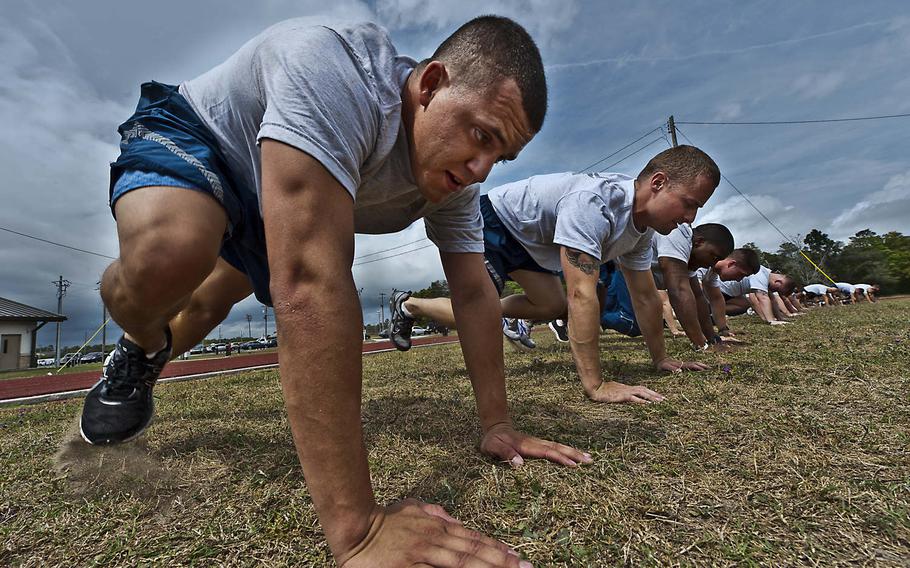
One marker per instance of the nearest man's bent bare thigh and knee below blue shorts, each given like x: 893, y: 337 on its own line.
x: 169, y: 242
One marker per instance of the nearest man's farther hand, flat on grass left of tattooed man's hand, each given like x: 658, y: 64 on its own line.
x: 504, y: 443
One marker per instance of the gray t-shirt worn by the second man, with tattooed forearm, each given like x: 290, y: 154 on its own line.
x: 591, y: 213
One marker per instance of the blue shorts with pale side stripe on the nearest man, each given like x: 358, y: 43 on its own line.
x: 166, y: 143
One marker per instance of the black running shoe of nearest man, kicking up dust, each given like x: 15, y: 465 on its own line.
x: 120, y: 406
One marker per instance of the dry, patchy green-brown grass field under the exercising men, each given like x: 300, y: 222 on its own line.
x: 793, y: 451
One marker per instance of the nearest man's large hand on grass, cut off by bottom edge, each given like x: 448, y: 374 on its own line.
x: 411, y: 533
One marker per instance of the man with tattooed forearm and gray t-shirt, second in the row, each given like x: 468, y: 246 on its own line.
x: 575, y: 222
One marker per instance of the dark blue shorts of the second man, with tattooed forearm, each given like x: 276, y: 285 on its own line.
x: 502, y: 253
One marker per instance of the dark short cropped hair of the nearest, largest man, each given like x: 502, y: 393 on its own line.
x: 490, y: 49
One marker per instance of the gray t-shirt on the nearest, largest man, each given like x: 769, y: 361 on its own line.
x: 336, y: 95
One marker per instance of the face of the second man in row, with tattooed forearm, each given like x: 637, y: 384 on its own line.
x: 673, y: 203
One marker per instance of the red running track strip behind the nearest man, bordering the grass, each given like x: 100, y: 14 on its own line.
x: 44, y: 384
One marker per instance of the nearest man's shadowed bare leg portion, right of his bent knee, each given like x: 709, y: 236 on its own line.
x: 209, y: 305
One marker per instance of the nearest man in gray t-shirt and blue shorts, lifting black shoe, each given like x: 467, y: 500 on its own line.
x: 254, y: 178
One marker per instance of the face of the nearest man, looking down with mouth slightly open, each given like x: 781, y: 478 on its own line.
x: 459, y: 133
